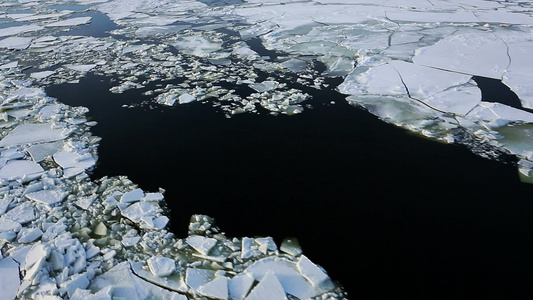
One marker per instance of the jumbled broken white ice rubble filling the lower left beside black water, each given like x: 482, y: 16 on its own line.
x: 63, y: 236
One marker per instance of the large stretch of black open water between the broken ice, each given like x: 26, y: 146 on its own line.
x: 385, y: 213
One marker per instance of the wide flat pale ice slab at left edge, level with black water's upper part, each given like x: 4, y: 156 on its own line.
x: 32, y: 133
